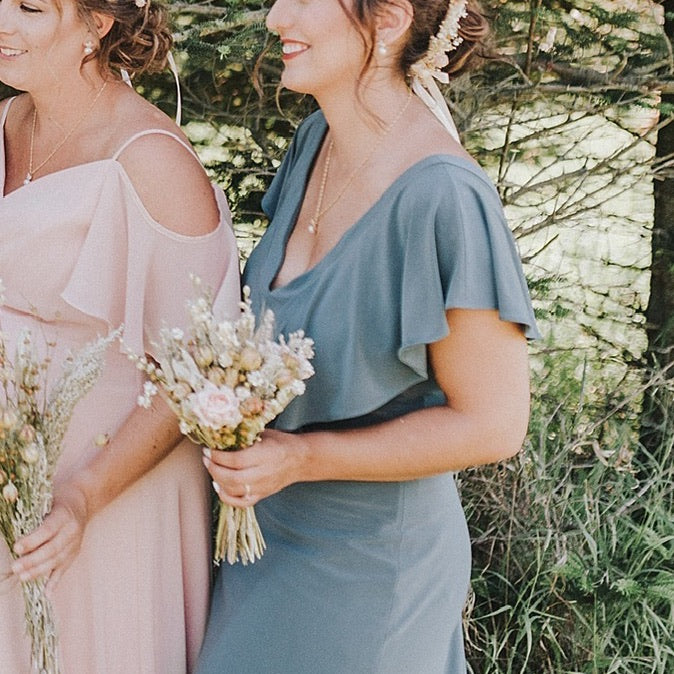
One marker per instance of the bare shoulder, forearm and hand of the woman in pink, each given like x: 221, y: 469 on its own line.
x: 177, y: 193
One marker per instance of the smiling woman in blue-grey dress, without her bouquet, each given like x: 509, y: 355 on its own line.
x: 388, y: 246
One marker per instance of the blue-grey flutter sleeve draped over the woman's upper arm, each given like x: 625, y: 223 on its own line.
x: 464, y: 257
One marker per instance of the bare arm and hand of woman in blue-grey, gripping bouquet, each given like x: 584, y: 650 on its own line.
x: 482, y: 368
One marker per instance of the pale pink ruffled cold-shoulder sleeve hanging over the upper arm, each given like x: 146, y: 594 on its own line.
x: 131, y: 271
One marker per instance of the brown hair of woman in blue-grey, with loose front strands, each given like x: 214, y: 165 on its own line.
x: 428, y: 15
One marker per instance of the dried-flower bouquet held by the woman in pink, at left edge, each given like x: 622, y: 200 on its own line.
x: 32, y: 426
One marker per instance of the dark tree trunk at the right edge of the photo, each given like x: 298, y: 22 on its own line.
x: 655, y: 421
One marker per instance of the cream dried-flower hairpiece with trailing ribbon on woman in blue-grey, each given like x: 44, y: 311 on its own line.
x: 427, y: 69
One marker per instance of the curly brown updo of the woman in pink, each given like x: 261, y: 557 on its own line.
x: 139, y: 40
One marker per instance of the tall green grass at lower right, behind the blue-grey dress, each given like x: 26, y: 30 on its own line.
x: 573, y: 540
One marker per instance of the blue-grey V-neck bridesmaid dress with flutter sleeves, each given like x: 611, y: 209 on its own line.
x: 365, y: 577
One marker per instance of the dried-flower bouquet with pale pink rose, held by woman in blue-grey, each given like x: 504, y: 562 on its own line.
x: 226, y: 380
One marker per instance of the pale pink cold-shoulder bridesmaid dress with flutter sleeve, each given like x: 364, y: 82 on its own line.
x: 79, y: 254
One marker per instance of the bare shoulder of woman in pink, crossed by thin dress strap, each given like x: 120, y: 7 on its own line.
x: 168, y: 177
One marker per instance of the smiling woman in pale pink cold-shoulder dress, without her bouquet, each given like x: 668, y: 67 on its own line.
x: 104, y: 213
